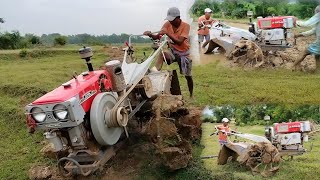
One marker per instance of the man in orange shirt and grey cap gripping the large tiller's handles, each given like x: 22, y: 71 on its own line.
x: 178, y: 34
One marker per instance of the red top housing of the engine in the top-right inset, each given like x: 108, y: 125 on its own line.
x: 277, y: 22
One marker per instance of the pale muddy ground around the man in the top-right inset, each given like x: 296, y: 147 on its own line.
x: 197, y: 53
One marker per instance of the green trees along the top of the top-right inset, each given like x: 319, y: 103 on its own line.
x: 238, y: 8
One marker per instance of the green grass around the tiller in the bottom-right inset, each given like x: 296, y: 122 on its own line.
x: 301, y: 167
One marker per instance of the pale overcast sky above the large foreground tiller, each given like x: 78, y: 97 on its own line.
x: 87, y: 16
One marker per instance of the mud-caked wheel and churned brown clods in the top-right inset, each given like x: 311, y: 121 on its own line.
x: 248, y: 55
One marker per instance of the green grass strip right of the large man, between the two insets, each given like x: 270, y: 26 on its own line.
x: 218, y: 85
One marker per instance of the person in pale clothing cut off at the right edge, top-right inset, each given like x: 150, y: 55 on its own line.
x: 313, y: 48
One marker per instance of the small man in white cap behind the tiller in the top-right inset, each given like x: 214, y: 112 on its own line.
x: 205, y: 22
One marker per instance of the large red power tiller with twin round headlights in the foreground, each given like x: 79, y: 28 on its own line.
x: 86, y: 116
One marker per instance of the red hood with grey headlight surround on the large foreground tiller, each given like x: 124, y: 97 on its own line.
x: 75, y: 95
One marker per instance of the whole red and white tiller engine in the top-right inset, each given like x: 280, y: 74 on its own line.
x: 274, y: 32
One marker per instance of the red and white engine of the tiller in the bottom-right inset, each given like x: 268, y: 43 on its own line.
x: 289, y: 137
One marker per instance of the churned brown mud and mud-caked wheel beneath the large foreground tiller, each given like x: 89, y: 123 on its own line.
x: 160, y: 136
